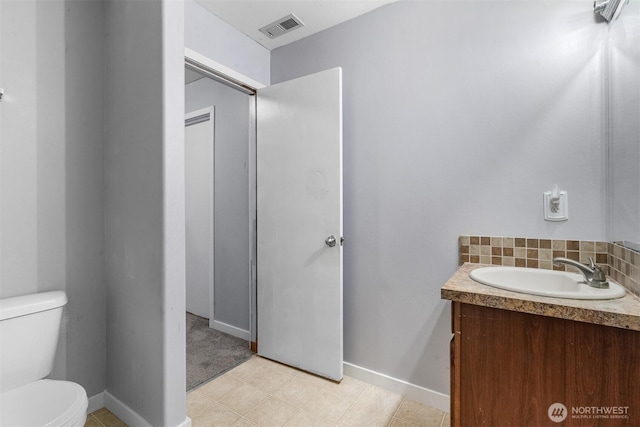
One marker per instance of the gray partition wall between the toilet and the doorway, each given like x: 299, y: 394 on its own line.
x: 144, y: 244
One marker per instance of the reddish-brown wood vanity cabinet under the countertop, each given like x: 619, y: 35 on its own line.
x: 508, y: 368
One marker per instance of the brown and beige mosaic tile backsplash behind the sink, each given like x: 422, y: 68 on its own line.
x: 623, y: 264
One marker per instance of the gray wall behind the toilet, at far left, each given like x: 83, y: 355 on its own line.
x: 51, y: 153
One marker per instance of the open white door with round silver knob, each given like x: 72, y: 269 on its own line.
x: 299, y: 223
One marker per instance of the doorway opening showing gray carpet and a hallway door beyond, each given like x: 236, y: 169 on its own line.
x: 220, y: 215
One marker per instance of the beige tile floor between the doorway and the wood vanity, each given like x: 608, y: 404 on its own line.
x: 264, y: 393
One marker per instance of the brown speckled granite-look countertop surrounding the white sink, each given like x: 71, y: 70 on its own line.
x: 620, y: 313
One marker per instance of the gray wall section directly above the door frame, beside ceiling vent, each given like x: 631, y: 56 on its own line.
x: 211, y: 36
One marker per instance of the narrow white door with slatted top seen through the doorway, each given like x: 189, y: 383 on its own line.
x: 198, y: 154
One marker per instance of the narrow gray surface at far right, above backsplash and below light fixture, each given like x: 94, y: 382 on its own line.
x: 624, y: 132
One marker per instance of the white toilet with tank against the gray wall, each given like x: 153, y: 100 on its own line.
x: 29, y: 328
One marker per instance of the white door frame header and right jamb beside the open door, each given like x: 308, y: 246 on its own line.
x: 217, y: 71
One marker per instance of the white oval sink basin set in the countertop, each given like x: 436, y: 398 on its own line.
x: 548, y: 283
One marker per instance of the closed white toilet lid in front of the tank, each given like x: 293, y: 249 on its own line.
x: 42, y: 403
